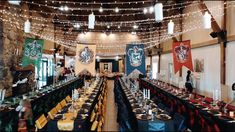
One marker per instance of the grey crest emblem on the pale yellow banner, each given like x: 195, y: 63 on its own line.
x: 86, y: 55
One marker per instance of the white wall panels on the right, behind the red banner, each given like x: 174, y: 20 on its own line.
x: 210, y: 79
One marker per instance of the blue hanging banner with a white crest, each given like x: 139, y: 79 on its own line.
x: 135, y: 59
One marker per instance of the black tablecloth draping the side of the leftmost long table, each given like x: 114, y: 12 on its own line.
x: 40, y: 105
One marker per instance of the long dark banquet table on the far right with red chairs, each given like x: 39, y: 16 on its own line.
x: 202, y: 114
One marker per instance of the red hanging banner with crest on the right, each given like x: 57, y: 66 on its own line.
x: 182, y: 55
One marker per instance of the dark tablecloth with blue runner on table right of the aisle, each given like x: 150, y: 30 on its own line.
x: 128, y: 119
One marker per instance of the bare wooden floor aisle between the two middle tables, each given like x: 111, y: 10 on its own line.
x: 110, y: 123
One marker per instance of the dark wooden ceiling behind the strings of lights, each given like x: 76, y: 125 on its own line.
x: 143, y: 27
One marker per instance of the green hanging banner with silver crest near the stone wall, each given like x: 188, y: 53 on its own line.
x: 32, y: 52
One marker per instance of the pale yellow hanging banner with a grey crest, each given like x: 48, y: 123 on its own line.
x: 85, y: 59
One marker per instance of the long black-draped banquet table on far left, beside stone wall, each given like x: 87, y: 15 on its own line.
x: 41, y: 103
